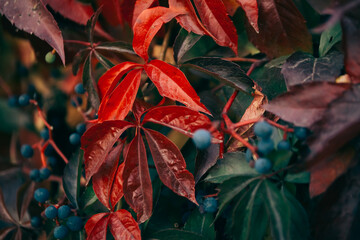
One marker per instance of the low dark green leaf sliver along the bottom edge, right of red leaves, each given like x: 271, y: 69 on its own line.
x: 176, y: 234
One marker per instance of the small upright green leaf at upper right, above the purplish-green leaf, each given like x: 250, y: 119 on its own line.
x: 329, y: 38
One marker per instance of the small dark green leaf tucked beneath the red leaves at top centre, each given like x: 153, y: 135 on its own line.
x: 183, y: 43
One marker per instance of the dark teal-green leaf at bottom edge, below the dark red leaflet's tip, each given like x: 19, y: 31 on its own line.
x: 201, y: 224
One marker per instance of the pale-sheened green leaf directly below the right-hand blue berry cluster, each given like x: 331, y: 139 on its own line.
x: 232, y: 165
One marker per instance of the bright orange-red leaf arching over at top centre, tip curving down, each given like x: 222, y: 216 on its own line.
x: 147, y: 25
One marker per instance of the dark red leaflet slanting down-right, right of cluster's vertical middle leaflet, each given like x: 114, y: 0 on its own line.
x: 171, y: 165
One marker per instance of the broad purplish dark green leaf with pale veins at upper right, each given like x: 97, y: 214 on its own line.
x: 302, y: 67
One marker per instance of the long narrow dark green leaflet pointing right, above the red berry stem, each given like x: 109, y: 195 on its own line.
x: 225, y: 71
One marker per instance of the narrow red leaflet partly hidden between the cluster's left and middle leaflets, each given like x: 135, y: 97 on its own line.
x: 103, y: 179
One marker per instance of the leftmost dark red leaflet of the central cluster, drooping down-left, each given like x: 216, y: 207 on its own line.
x: 97, y: 142
